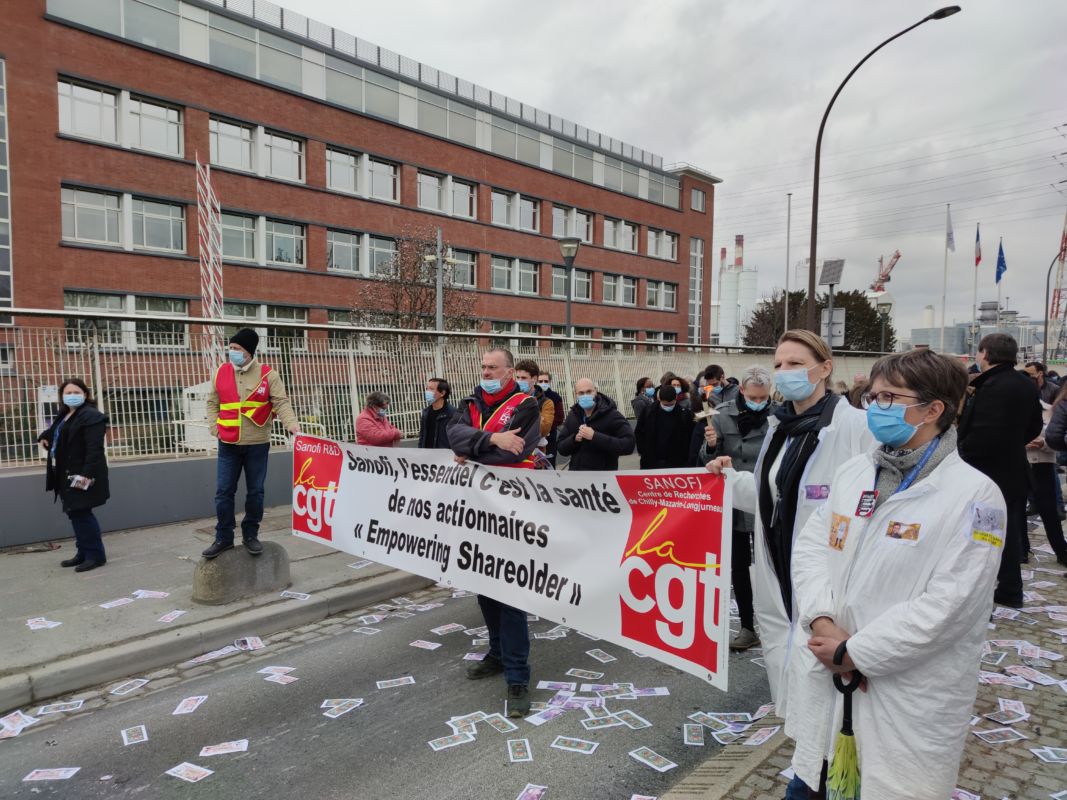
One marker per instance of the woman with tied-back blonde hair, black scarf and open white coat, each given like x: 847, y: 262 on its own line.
x: 809, y: 437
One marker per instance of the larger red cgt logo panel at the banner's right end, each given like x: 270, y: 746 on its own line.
x: 671, y: 600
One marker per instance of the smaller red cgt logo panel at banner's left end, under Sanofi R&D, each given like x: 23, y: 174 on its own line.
x: 316, y: 473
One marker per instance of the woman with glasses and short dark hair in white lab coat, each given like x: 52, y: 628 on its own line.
x: 895, y: 575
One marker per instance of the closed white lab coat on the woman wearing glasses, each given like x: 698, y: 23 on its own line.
x: 917, y: 609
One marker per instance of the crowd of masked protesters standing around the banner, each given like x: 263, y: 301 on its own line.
x: 874, y: 524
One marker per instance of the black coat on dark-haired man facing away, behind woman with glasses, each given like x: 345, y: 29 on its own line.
x: 1002, y: 414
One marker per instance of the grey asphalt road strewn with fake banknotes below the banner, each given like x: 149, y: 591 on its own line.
x: 378, y: 751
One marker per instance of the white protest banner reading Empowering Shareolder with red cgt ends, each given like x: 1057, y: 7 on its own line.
x: 636, y: 558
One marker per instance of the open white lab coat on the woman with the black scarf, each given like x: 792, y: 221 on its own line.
x: 846, y: 437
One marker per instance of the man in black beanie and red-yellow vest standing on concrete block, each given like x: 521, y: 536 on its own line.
x: 246, y: 395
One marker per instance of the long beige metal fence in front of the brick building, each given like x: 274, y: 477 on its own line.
x: 152, y: 376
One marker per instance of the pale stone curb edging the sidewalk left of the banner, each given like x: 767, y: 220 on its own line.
x: 169, y: 648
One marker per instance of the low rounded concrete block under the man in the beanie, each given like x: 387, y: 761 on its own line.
x: 236, y: 574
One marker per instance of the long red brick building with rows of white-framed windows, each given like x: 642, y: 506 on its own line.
x: 324, y: 150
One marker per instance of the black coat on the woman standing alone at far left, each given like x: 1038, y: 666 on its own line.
x: 79, y: 452
